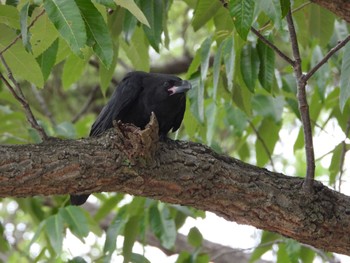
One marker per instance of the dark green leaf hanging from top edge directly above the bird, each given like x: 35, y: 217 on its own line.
x: 153, y: 10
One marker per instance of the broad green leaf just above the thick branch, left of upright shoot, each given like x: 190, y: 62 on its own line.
x: 268, y: 133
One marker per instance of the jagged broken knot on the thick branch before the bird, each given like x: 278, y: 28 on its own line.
x: 138, y: 145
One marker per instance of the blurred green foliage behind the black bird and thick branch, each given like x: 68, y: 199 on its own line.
x: 69, y: 55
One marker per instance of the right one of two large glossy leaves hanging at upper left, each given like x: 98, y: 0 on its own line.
x: 97, y: 32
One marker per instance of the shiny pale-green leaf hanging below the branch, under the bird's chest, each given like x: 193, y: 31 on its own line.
x: 163, y: 226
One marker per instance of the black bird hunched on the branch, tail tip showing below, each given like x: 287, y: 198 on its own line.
x: 136, y: 97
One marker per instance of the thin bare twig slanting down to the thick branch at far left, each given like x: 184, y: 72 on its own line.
x: 20, y: 97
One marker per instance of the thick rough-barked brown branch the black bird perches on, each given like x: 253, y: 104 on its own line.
x: 128, y: 160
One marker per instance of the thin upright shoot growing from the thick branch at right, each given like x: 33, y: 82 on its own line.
x: 303, y: 108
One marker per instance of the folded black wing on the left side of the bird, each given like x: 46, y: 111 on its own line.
x: 122, y: 98
